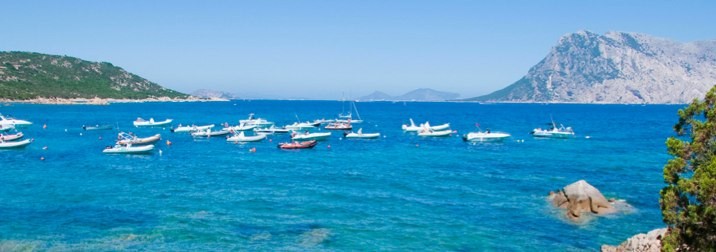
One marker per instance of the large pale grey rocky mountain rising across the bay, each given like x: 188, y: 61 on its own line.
x: 616, y: 67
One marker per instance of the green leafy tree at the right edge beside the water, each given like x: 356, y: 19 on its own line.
x: 688, y: 202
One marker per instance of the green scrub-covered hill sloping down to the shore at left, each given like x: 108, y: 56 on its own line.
x: 27, y: 75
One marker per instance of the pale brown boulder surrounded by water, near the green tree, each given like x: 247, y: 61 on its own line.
x: 580, y: 197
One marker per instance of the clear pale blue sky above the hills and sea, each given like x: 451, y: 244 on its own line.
x: 322, y: 49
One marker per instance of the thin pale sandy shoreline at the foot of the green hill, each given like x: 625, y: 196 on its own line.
x: 105, y: 101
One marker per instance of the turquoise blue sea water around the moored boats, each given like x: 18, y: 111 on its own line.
x: 399, y: 192
